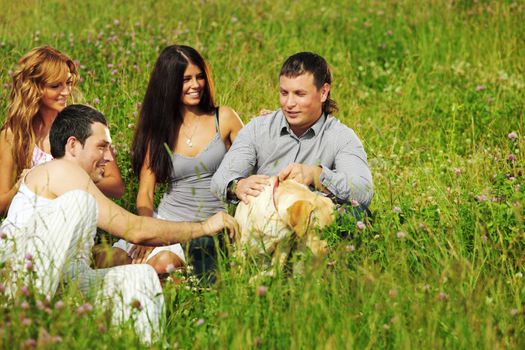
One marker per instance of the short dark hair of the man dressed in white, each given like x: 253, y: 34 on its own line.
x: 74, y: 120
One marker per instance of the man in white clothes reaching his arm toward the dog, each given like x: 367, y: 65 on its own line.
x: 53, y: 219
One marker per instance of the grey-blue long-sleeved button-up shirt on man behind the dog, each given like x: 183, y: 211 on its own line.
x: 266, y: 145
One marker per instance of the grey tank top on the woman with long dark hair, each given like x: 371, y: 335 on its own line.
x: 188, y: 197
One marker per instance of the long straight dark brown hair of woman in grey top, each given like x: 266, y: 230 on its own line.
x: 160, y: 116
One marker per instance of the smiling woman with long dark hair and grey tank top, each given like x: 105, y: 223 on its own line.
x: 180, y: 139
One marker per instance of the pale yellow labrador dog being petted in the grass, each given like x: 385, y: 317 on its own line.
x: 284, y: 213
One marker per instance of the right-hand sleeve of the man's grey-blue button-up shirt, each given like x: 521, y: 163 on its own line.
x: 350, y: 177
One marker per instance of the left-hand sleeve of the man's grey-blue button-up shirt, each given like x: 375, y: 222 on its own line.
x: 239, y: 162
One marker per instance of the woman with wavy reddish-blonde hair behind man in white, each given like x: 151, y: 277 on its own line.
x: 42, y: 83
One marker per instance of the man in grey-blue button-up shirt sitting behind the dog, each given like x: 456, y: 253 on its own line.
x: 300, y: 141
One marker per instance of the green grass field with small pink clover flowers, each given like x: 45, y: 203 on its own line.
x: 432, y: 88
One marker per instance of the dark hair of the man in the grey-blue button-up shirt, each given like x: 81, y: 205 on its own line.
x: 309, y: 62
